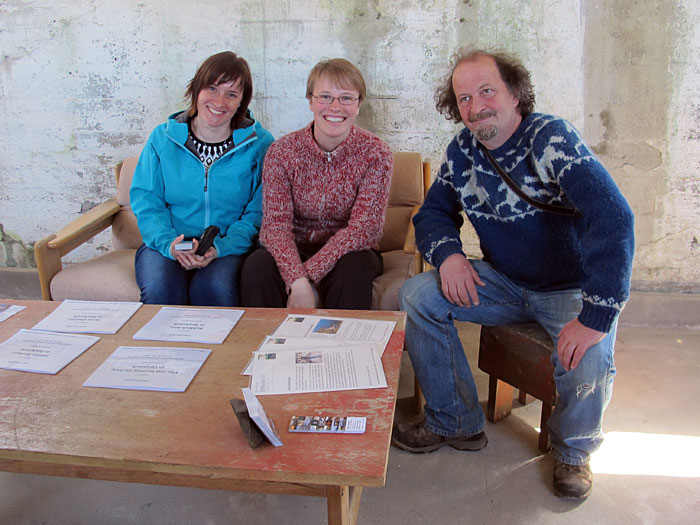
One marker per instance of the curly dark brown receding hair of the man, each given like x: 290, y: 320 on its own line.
x: 512, y: 72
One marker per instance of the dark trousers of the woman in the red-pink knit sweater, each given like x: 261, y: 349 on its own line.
x: 347, y: 286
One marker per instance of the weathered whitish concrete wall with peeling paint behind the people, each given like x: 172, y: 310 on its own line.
x: 82, y: 84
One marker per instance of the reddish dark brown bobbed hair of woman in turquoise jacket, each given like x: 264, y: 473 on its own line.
x: 219, y: 69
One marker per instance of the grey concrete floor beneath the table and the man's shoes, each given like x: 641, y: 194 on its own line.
x: 648, y: 470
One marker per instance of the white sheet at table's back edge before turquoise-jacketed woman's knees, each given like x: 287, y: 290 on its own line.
x: 190, y: 325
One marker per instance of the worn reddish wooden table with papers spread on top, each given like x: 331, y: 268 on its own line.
x: 51, y: 424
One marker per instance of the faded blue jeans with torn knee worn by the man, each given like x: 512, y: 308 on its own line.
x: 452, y: 404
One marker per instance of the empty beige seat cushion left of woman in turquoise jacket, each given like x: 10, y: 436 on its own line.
x: 109, y: 277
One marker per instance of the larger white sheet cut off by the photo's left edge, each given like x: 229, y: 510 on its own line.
x: 42, y: 352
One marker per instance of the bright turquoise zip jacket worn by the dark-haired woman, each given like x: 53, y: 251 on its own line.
x: 172, y: 193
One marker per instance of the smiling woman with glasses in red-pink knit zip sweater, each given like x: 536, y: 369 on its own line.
x: 325, y: 193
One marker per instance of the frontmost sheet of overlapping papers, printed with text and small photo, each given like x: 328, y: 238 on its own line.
x: 347, y: 367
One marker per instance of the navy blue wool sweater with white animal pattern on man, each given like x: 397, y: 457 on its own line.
x: 540, y: 251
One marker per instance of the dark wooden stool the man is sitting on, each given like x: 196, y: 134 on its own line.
x: 518, y: 356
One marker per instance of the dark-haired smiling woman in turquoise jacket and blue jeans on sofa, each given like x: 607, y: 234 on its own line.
x: 201, y: 168
